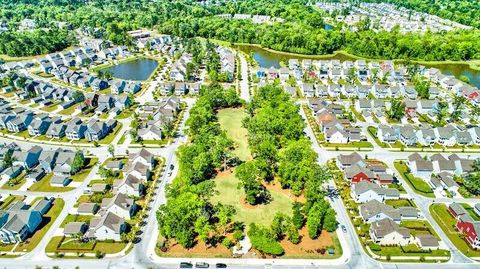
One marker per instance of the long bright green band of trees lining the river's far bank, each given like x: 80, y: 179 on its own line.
x: 300, y: 38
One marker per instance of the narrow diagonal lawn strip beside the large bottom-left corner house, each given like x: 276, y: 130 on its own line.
x: 48, y: 220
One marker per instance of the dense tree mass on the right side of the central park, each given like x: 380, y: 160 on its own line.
x: 280, y: 150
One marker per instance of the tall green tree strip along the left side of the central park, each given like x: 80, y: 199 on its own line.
x: 188, y: 214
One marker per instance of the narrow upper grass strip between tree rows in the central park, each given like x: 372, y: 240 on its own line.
x: 230, y: 120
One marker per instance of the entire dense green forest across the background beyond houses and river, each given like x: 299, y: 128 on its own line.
x: 302, y: 31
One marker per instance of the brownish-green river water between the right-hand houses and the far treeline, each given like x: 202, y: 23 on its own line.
x: 267, y: 59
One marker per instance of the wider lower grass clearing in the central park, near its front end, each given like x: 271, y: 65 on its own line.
x: 229, y: 194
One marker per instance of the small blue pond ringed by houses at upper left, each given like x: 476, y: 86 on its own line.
x: 139, y: 69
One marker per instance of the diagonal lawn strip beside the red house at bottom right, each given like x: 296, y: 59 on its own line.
x: 447, y: 223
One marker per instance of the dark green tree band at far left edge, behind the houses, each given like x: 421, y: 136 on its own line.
x: 35, y: 42
